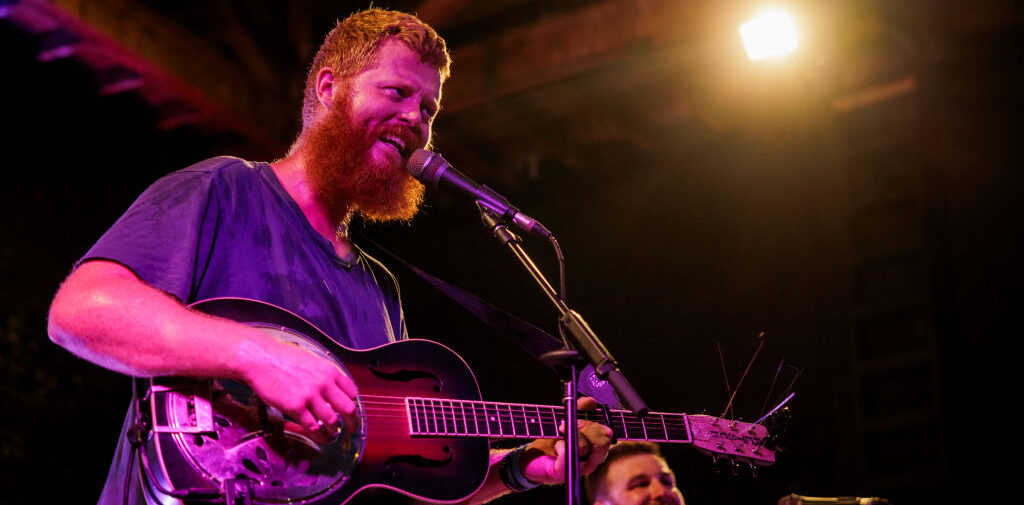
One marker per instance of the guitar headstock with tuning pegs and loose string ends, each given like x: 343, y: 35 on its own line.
x: 737, y: 441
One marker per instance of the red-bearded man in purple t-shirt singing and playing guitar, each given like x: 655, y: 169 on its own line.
x: 277, y: 233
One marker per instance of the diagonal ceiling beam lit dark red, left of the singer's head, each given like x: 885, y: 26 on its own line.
x: 172, y: 66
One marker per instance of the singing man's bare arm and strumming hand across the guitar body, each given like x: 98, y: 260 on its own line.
x: 108, y: 316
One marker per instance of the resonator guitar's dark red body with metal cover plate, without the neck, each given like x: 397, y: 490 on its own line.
x: 212, y: 435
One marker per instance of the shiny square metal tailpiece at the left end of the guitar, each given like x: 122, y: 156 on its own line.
x: 194, y: 400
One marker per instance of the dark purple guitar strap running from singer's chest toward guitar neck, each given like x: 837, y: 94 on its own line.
x: 528, y: 336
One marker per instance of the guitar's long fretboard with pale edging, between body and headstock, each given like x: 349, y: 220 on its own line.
x: 467, y: 418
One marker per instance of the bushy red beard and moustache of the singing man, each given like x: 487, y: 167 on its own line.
x: 347, y: 180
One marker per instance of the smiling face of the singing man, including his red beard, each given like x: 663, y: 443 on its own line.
x: 376, y: 121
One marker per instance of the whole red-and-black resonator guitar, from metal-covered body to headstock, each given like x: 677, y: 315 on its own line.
x: 423, y: 429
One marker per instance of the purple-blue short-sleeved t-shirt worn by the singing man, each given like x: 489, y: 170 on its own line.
x: 227, y: 228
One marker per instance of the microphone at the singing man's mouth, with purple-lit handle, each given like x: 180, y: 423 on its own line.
x: 432, y: 170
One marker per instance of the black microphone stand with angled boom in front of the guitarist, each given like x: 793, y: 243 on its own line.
x: 582, y: 346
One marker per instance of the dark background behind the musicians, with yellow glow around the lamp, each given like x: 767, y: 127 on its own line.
x: 860, y: 204
